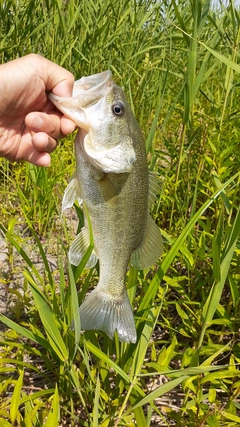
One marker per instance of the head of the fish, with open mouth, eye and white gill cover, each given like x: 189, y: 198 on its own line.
x: 107, y: 125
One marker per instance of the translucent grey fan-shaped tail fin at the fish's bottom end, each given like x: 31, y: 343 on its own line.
x: 99, y: 312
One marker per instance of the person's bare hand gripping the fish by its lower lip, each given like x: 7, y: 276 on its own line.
x: 29, y: 123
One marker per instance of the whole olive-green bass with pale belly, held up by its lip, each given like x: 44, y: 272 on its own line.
x: 113, y: 184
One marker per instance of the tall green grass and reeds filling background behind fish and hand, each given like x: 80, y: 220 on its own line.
x: 178, y: 64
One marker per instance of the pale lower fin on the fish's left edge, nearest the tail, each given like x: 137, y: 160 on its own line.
x: 78, y: 249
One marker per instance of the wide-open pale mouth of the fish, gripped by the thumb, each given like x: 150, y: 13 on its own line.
x: 87, y: 91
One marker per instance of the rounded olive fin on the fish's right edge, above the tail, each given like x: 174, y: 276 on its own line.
x: 150, y: 249
